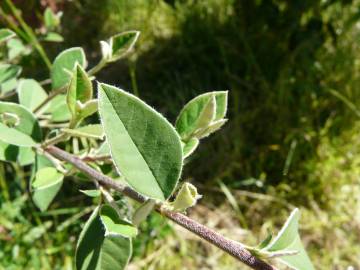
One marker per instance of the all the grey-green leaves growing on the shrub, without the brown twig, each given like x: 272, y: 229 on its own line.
x: 146, y: 150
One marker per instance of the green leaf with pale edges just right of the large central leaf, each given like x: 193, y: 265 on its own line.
x: 200, y: 112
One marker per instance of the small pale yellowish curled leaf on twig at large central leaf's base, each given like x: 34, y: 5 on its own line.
x: 186, y: 197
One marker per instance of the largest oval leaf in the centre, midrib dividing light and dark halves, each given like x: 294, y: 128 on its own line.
x: 144, y: 146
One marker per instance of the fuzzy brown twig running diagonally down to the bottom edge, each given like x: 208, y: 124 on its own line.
x: 233, y: 248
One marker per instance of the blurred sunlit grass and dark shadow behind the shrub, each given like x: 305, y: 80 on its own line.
x: 292, y: 139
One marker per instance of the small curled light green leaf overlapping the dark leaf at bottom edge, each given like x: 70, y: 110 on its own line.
x: 114, y: 225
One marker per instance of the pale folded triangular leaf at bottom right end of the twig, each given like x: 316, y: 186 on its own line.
x: 288, y: 239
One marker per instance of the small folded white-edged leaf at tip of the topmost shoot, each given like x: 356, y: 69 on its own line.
x: 121, y: 44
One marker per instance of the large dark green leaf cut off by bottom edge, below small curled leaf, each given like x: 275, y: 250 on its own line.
x: 95, y: 251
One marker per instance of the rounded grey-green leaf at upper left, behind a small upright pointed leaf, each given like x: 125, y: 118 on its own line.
x: 64, y: 64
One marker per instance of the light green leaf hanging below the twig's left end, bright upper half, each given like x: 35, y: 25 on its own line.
x: 46, y: 185
